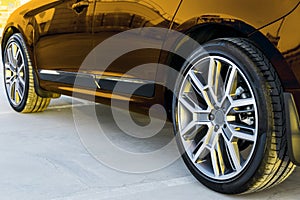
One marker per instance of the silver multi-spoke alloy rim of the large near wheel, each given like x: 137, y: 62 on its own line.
x: 217, y: 118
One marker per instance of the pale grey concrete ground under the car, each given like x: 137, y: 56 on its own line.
x: 42, y: 157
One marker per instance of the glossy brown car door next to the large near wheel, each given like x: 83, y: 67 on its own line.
x: 115, y: 20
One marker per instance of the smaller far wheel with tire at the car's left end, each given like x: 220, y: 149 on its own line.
x: 18, y: 73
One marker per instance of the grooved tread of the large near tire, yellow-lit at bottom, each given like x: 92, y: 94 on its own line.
x: 277, y: 165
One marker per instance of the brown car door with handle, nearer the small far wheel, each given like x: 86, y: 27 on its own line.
x: 63, y: 35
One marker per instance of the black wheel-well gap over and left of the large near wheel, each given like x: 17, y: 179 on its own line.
x: 210, y: 28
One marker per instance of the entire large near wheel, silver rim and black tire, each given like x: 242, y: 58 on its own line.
x: 228, y: 115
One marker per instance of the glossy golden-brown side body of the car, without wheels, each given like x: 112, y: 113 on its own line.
x: 270, y: 25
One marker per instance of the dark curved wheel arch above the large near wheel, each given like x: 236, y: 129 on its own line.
x: 213, y: 27
